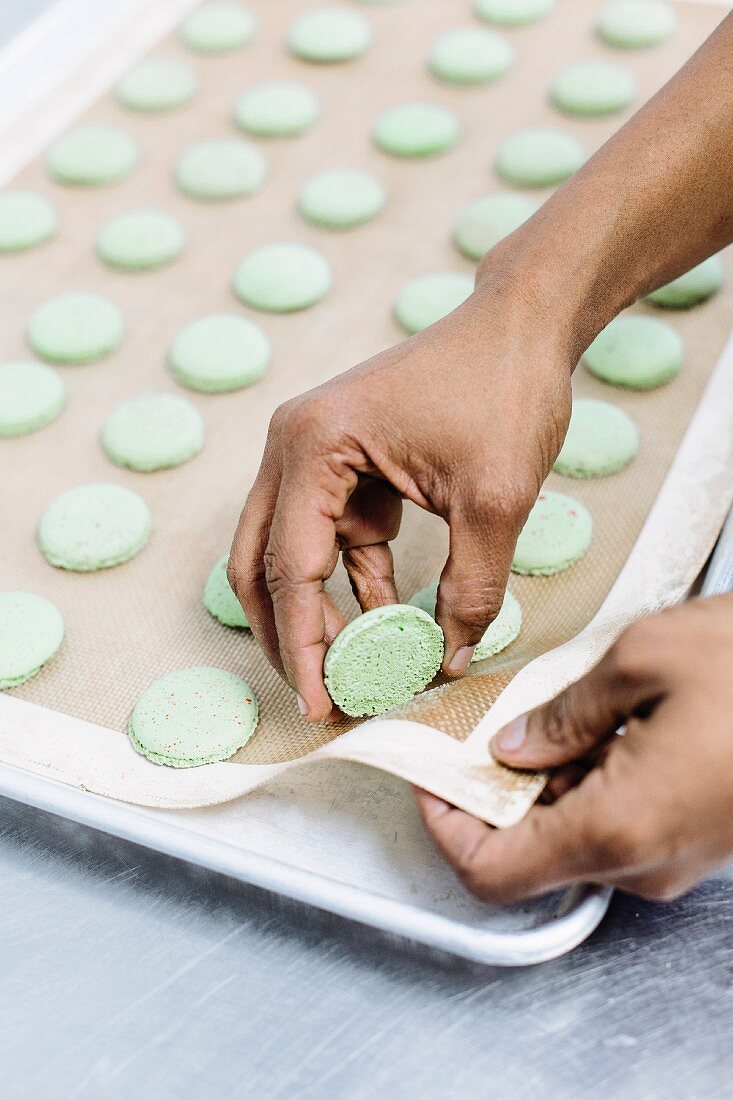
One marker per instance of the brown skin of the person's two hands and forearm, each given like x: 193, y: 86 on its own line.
x: 654, y: 201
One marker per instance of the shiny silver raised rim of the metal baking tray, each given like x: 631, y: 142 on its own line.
x: 581, y: 910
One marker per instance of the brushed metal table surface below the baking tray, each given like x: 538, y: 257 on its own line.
x: 130, y: 974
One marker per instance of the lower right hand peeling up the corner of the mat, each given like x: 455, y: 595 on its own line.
x: 655, y: 815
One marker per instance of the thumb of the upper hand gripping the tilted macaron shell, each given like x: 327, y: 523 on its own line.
x: 474, y: 581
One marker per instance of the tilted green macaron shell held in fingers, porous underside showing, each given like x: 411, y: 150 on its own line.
x: 382, y: 659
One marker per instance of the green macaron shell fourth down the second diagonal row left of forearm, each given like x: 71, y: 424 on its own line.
x: 342, y: 199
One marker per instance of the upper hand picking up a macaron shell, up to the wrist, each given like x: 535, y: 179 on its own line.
x: 465, y: 420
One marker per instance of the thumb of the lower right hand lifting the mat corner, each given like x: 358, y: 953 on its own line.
x: 582, y: 718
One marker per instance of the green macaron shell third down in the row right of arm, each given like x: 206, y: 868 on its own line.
x: 601, y: 441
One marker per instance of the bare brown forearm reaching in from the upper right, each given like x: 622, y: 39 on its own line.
x: 655, y: 201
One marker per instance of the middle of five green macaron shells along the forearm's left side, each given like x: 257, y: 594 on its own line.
x: 539, y: 158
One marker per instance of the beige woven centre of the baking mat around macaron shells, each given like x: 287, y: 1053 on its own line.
x: 129, y: 625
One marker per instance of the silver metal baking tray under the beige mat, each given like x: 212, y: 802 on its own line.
x: 387, y: 875
